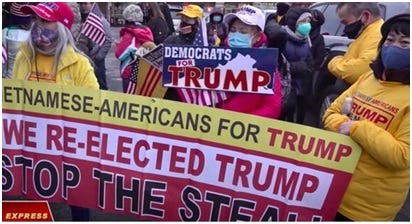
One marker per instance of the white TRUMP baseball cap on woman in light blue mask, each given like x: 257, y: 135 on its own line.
x: 249, y: 15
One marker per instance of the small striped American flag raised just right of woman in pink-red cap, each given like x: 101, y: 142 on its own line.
x: 93, y: 26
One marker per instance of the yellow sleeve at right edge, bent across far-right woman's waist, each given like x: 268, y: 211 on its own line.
x: 390, y: 150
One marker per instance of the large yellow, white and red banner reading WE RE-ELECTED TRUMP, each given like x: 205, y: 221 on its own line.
x: 162, y: 160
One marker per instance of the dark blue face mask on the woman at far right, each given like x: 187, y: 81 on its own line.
x: 394, y: 57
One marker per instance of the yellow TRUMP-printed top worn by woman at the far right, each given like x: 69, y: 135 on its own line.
x: 380, y: 182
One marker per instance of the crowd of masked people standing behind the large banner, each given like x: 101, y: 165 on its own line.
x: 45, y: 41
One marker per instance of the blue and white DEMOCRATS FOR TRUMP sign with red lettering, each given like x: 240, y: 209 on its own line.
x: 217, y: 68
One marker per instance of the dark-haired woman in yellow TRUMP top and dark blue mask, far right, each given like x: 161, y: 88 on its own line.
x: 379, y: 122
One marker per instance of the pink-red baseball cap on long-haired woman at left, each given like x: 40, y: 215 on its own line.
x: 51, y: 11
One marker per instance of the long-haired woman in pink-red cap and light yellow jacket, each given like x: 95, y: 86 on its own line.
x: 50, y: 55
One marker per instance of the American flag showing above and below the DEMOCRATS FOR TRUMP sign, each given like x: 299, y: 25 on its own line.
x: 200, y: 96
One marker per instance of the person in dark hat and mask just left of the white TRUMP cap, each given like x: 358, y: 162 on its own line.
x: 217, y: 30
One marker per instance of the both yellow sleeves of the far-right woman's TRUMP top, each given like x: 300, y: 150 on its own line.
x: 389, y: 149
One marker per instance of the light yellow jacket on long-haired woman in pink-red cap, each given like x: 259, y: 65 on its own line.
x: 74, y: 68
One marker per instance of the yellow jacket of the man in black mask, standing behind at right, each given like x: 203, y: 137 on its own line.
x: 360, y: 54
